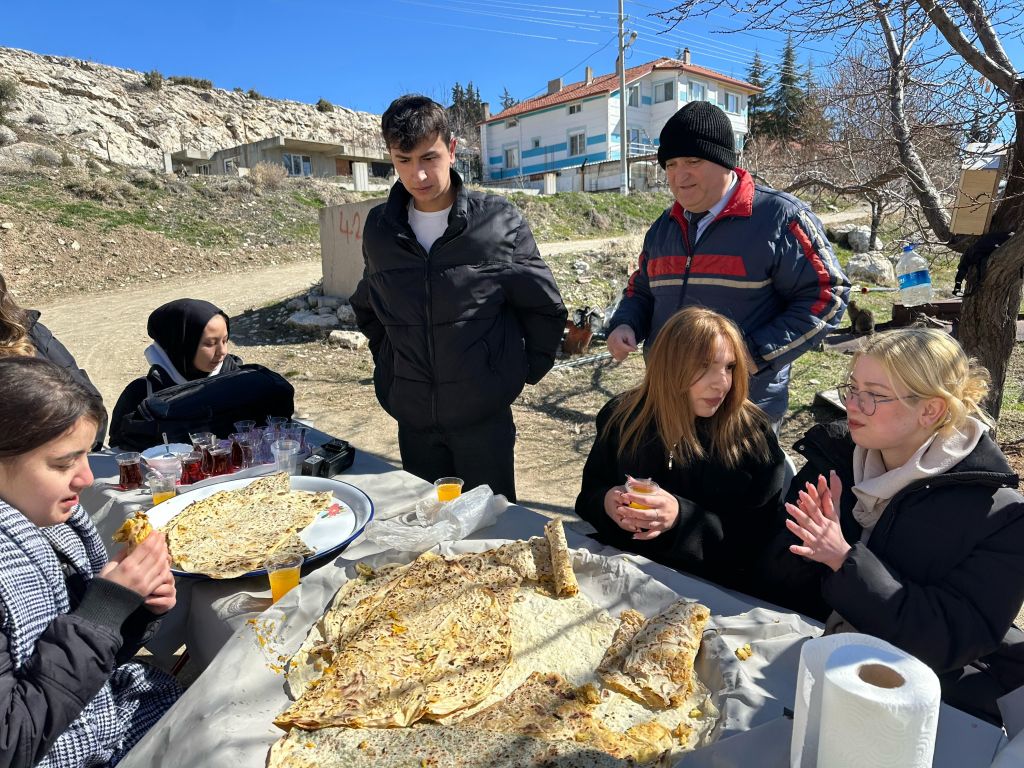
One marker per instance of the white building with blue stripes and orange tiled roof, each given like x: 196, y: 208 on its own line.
x: 574, y: 131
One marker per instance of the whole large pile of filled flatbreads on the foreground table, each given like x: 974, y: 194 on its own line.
x: 463, y: 660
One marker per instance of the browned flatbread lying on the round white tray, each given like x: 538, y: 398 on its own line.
x: 232, y: 533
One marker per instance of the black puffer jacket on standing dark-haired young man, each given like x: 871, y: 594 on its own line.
x: 456, y: 333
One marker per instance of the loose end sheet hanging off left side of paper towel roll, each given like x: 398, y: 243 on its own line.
x: 807, y: 709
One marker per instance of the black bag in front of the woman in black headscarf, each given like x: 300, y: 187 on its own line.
x: 210, y: 405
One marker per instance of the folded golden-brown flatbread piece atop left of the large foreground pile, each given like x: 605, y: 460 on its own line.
x: 436, y: 643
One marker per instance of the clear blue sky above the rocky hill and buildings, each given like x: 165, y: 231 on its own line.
x: 363, y: 54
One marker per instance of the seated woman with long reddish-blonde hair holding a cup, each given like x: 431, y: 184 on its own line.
x: 691, y: 428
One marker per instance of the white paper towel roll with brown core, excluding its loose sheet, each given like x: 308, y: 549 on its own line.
x: 879, y: 709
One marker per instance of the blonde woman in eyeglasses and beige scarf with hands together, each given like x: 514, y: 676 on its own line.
x: 906, y: 523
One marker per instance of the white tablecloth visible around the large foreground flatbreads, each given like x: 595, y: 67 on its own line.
x: 226, y: 717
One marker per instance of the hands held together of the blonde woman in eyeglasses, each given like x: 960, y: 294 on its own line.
x: 816, y: 523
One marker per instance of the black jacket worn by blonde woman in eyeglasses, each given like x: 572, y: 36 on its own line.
x: 942, y: 576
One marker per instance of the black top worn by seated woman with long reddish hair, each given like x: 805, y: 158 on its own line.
x: 727, y: 516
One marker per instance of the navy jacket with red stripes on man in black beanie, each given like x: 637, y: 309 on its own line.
x: 764, y: 263
